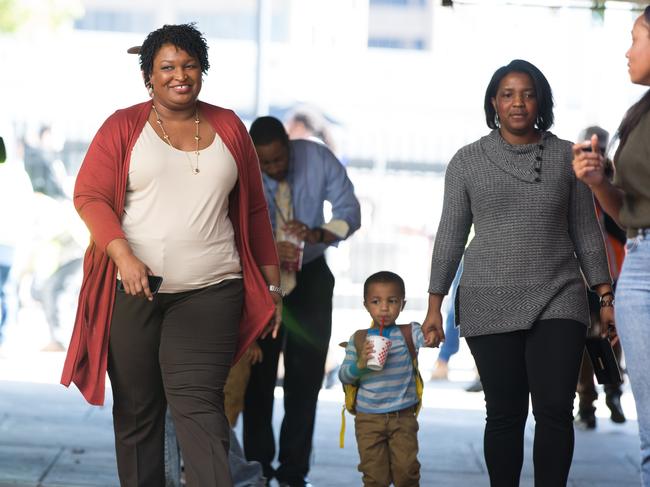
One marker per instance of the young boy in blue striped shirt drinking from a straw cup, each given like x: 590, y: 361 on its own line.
x: 385, y: 424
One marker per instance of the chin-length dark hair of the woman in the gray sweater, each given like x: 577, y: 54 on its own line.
x: 542, y: 92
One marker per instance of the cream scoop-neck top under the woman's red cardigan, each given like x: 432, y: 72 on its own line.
x: 177, y: 222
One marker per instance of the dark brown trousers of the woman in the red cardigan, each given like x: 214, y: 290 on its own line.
x: 176, y: 350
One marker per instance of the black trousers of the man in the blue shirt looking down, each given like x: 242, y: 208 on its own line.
x: 304, y: 339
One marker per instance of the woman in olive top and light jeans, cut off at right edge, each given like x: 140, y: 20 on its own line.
x: 628, y: 201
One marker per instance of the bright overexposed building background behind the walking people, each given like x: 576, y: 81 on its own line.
x: 402, y: 82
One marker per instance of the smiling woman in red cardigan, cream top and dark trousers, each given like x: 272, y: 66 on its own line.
x: 171, y: 188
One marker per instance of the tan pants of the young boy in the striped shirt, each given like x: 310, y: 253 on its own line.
x: 388, y: 448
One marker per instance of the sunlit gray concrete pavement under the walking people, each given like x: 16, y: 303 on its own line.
x: 50, y: 437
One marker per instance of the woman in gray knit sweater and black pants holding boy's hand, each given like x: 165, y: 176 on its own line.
x: 521, y: 302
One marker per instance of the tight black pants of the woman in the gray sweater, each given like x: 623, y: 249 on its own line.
x: 543, y: 362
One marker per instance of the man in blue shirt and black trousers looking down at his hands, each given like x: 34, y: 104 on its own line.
x: 299, y: 176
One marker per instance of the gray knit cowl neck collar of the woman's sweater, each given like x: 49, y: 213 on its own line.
x: 518, y: 160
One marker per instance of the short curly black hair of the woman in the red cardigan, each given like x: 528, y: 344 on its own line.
x: 184, y: 36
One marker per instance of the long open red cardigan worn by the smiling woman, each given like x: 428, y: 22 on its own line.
x: 99, y: 198
